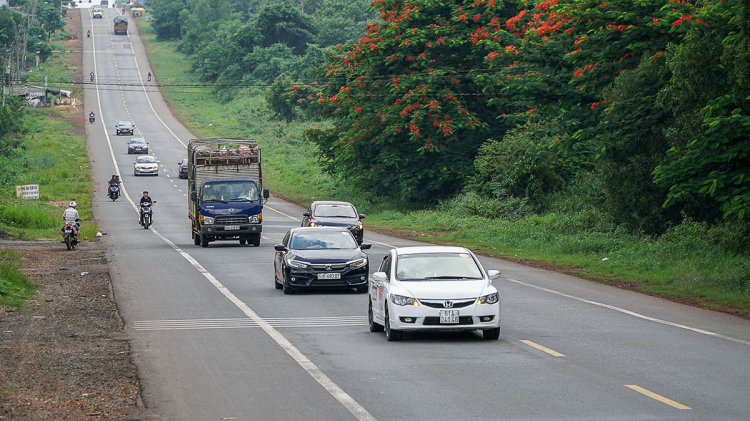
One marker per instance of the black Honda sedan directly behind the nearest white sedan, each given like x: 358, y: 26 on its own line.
x: 320, y: 258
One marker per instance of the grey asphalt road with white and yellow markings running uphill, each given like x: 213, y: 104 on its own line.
x: 214, y: 340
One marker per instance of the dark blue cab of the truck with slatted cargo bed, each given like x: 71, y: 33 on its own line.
x: 231, y: 209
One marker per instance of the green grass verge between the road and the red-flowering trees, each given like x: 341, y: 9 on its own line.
x: 691, y: 261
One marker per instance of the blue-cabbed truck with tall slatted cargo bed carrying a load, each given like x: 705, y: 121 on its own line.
x: 226, y: 194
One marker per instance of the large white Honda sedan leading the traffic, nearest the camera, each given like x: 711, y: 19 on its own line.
x: 419, y: 288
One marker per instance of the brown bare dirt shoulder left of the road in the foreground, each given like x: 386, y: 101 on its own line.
x: 64, y: 356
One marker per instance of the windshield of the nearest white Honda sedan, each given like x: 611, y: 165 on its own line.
x: 436, y: 267
